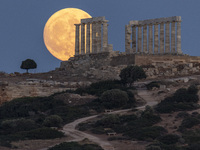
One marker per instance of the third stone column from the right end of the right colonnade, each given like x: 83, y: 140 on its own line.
x: 167, y: 38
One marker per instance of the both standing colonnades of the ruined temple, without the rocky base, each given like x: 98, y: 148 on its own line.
x: 152, y: 36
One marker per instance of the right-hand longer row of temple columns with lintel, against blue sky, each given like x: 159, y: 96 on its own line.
x: 152, y: 36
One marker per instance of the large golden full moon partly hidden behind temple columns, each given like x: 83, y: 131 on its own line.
x: 59, y: 32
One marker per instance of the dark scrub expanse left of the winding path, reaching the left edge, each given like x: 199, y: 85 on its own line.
x: 31, y: 118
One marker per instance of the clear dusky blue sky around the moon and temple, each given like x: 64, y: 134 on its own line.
x: 22, y: 23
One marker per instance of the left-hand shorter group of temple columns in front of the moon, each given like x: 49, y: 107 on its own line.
x: 92, y: 41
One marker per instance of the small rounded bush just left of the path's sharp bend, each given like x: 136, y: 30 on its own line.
x: 53, y: 121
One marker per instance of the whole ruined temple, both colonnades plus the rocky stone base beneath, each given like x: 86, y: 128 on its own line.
x: 153, y: 44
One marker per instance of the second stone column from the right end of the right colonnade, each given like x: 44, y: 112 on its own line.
x: 173, y: 39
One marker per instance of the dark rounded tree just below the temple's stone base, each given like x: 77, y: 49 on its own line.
x: 130, y: 74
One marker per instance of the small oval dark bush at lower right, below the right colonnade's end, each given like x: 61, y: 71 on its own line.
x: 169, y: 139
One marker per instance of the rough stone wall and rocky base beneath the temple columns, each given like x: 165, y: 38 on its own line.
x: 108, y: 66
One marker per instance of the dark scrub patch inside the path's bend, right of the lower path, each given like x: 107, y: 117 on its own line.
x: 131, y: 126
